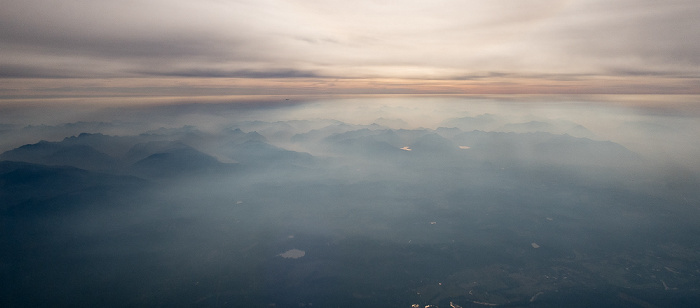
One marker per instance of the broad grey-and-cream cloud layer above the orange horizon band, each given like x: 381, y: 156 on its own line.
x: 295, y: 39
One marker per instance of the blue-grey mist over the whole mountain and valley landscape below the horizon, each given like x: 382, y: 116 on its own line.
x: 355, y: 202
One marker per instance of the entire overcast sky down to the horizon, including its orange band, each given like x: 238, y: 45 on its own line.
x: 85, y: 48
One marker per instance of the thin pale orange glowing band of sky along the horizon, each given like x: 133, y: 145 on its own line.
x: 28, y: 89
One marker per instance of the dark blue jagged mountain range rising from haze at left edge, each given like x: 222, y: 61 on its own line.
x: 146, y: 155
